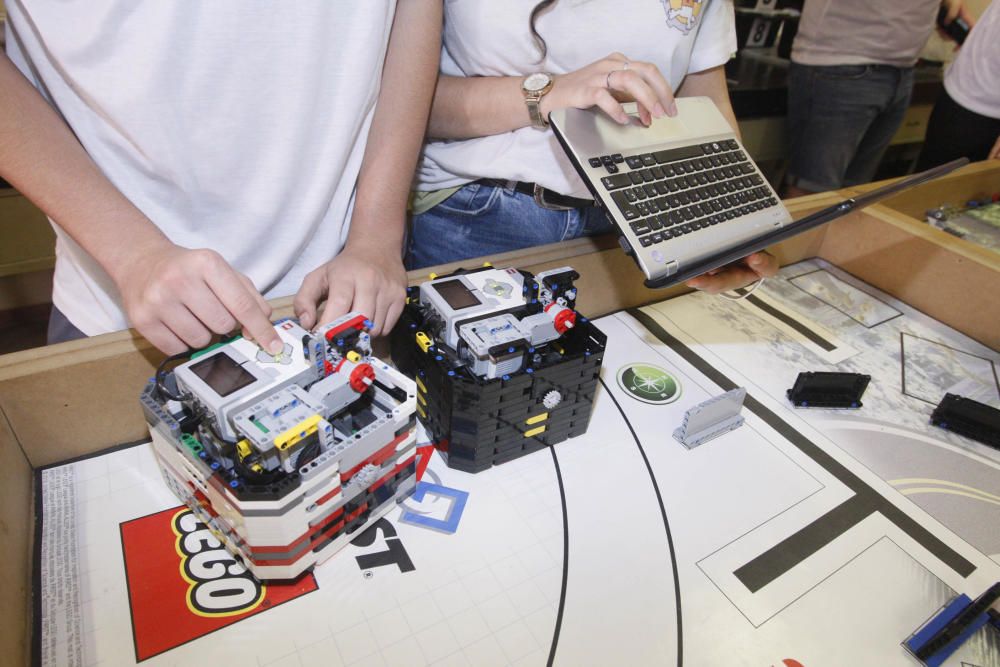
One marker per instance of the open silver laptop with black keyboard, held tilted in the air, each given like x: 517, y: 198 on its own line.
x: 684, y: 194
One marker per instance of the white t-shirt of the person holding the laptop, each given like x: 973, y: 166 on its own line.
x: 484, y: 38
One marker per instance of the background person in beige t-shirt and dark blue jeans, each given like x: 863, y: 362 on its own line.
x: 849, y: 86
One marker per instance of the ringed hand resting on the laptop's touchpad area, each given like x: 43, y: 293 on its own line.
x: 608, y: 82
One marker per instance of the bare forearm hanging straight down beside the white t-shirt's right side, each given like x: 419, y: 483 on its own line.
x: 400, y: 121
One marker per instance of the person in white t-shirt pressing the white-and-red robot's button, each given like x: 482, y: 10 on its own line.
x: 196, y: 155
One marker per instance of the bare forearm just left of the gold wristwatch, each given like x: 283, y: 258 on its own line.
x: 467, y: 107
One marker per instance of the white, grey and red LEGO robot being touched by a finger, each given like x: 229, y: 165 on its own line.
x: 285, y: 456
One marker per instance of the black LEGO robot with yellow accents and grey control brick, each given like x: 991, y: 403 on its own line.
x: 506, y: 377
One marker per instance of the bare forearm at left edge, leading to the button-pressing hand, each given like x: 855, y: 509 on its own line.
x: 40, y: 156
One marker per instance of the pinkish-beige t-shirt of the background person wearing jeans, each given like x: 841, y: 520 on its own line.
x: 861, y: 32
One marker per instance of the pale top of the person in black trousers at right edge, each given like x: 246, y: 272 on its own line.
x: 973, y: 80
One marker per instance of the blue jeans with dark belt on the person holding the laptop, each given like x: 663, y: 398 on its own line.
x: 482, y: 220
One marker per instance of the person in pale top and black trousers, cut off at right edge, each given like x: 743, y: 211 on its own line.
x: 965, y: 121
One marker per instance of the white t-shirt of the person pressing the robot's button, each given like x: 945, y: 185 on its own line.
x: 233, y: 125
